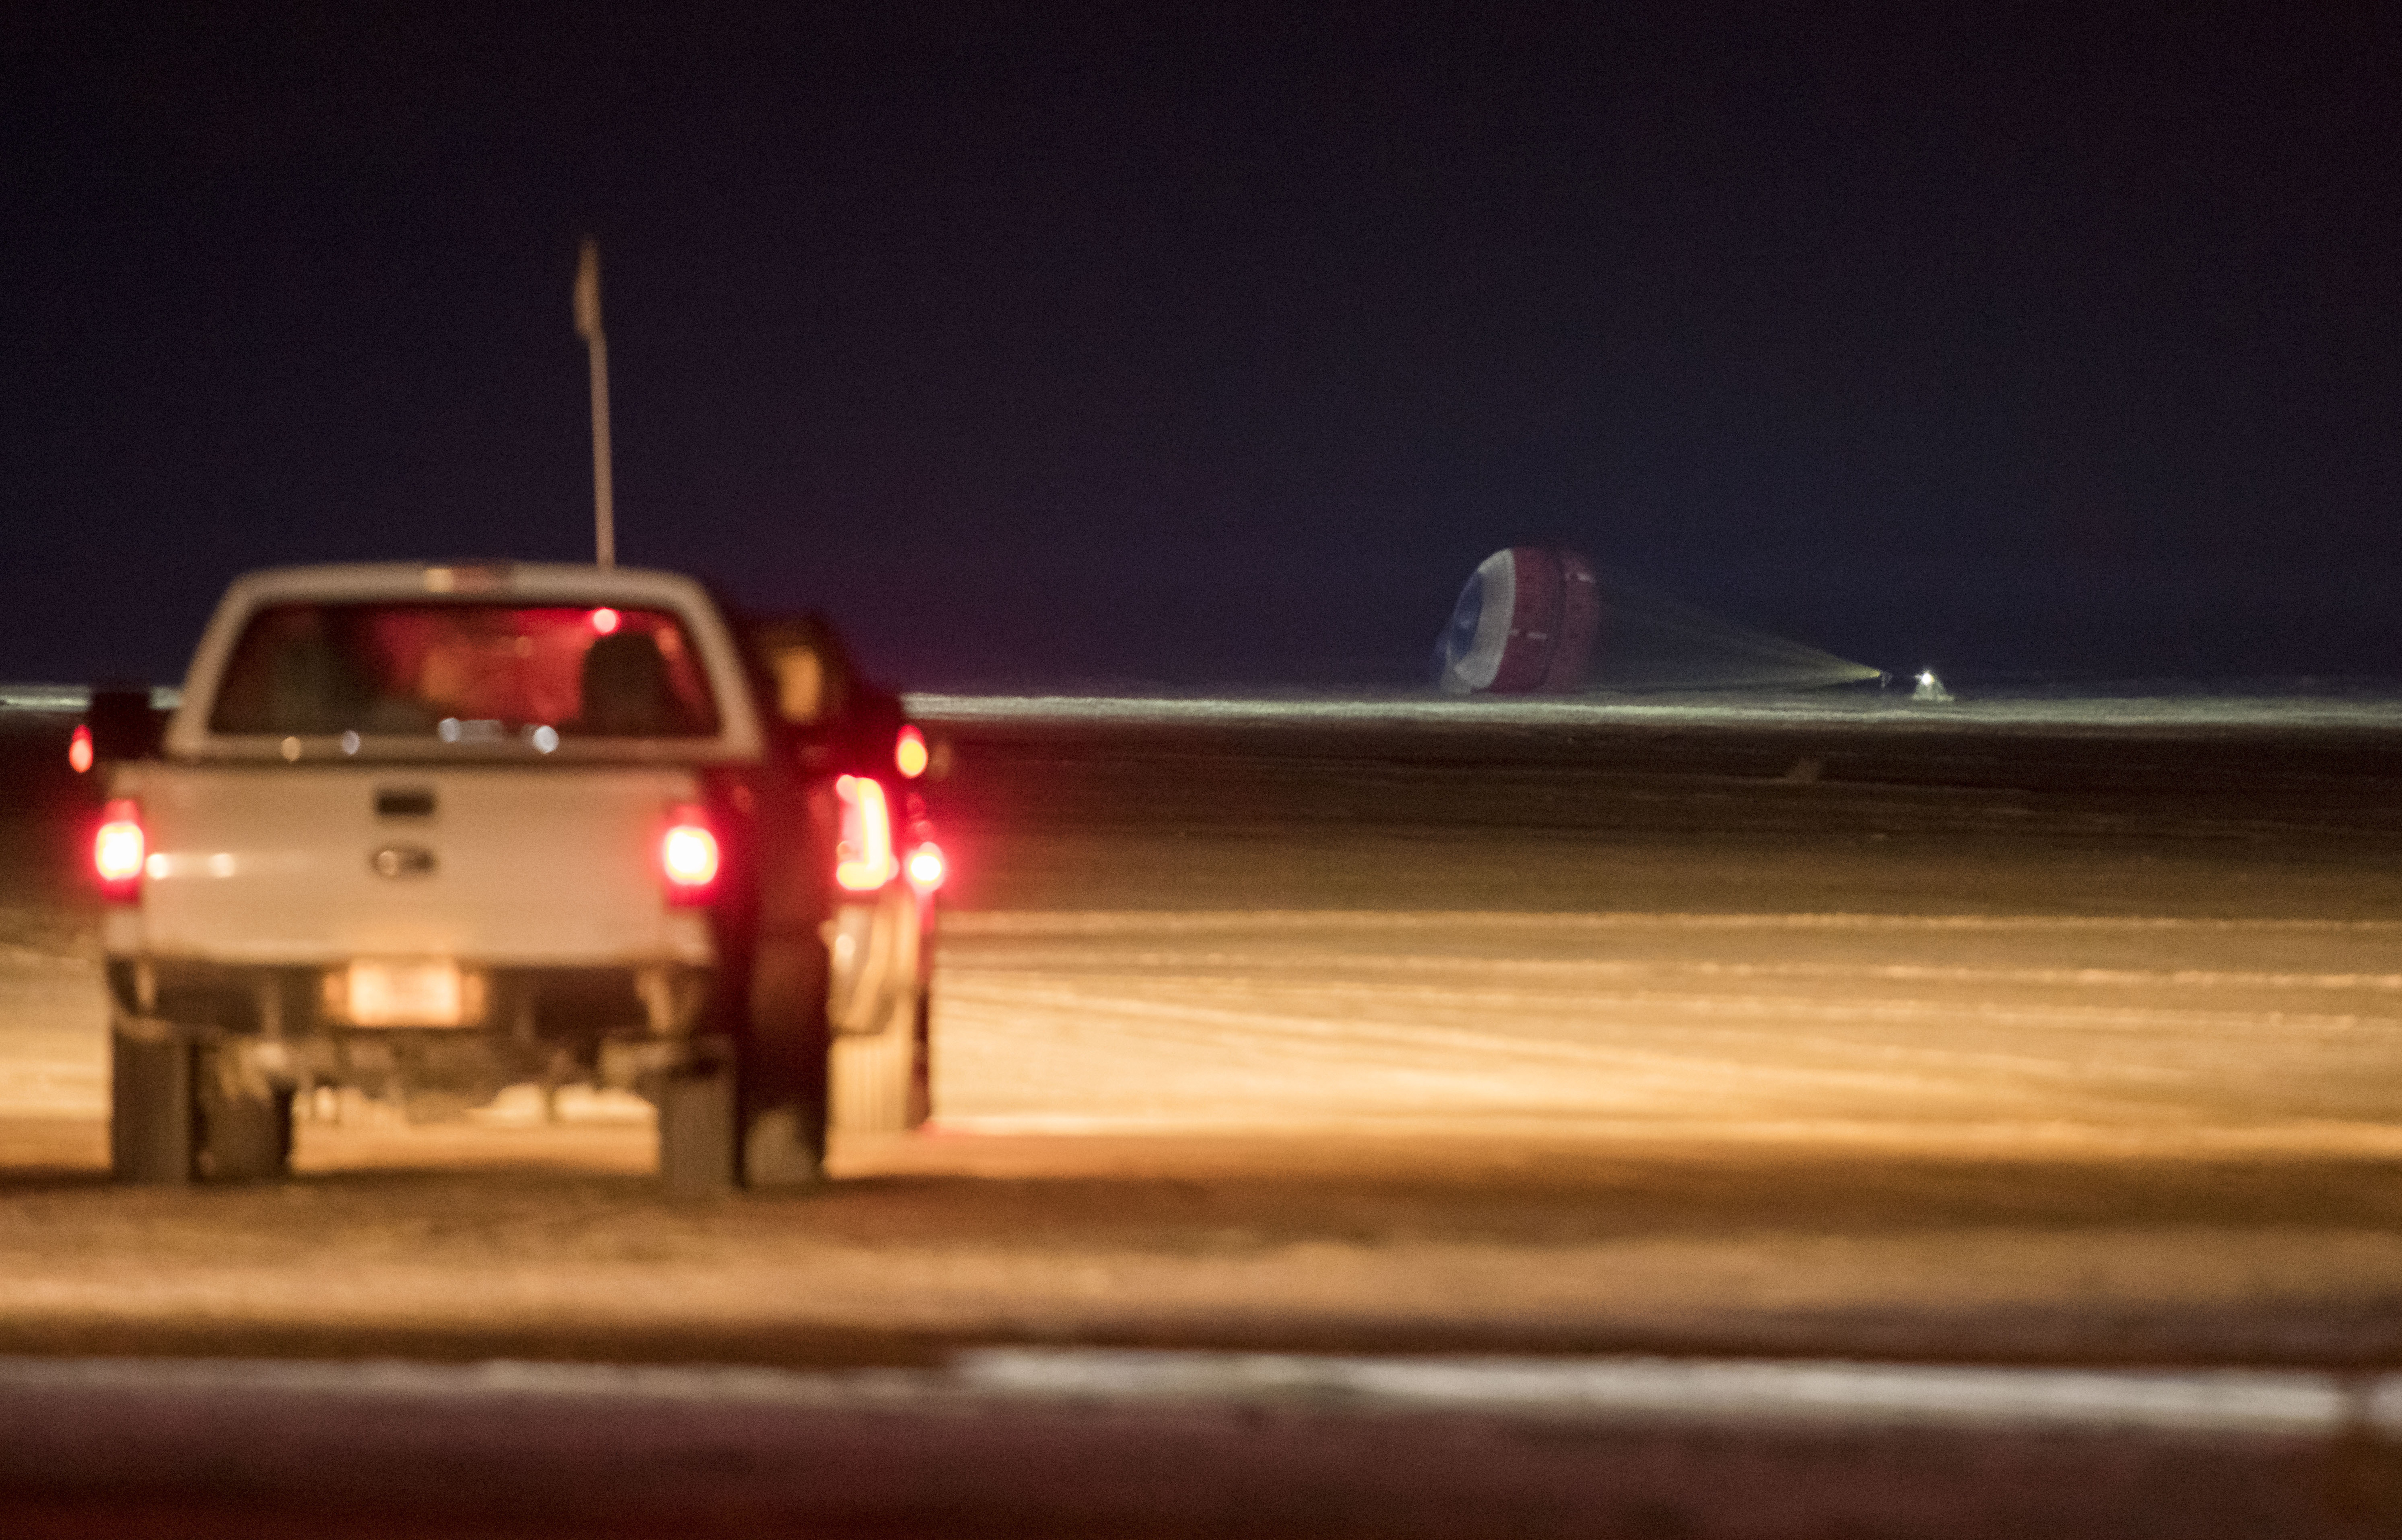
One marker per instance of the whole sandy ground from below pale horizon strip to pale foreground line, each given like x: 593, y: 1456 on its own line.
x: 1964, y: 1049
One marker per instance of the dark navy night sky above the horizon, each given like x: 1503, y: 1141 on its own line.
x: 1109, y: 352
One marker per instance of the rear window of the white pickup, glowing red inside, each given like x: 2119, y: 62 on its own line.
x: 465, y: 674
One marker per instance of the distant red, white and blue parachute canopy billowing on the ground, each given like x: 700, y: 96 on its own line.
x: 1526, y: 623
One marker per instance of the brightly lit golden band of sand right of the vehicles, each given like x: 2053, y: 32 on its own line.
x: 1853, y: 1027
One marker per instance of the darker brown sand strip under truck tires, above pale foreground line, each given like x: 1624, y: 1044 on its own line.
x: 467, y: 1243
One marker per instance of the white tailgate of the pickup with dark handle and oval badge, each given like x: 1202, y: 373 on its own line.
x: 323, y: 864
